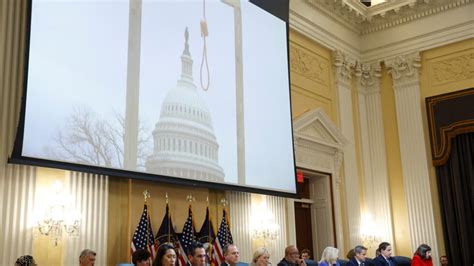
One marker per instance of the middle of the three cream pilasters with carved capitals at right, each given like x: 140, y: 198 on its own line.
x: 376, y: 184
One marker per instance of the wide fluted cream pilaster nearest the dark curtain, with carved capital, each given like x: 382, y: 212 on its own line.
x: 406, y: 85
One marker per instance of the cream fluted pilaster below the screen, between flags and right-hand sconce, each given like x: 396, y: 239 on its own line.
x: 240, y: 208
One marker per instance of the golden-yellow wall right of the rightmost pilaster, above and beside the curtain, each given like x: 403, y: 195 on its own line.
x: 444, y: 69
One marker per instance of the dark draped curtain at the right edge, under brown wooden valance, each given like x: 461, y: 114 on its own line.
x: 456, y: 190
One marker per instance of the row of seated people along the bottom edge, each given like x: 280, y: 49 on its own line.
x: 166, y: 256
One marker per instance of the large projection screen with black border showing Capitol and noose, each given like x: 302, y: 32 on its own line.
x: 188, y: 92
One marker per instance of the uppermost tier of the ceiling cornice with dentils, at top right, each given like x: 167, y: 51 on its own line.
x: 364, y: 20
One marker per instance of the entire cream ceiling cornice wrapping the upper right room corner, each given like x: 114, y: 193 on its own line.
x: 432, y: 24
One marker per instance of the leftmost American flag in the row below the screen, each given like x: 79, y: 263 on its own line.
x: 143, y: 237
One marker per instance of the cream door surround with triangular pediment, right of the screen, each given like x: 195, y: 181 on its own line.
x: 321, y: 153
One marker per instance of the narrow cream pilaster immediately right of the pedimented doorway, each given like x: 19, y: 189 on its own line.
x: 343, y: 66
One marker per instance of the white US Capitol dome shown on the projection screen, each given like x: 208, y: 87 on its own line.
x: 184, y: 141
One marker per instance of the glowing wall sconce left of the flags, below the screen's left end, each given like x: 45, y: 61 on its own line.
x: 57, y: 218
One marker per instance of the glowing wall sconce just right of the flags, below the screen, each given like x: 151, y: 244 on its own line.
x: 263, y: 224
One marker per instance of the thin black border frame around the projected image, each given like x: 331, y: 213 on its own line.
x: 278, y: 8
